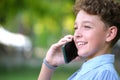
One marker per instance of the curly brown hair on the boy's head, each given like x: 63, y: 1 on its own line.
x: 107, y: 10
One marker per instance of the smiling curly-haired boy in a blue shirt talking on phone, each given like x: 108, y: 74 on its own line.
x: 97, y: 29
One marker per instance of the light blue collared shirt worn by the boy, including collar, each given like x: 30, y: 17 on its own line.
x: 98, y: 68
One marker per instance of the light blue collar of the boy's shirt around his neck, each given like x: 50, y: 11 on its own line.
x: 96, y: 62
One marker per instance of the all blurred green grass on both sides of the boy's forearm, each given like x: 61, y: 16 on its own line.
x: 24, y: 73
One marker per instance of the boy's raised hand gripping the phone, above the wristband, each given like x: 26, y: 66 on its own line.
x: 54, y: 55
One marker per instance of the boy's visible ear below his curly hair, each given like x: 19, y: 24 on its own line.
x: 111, y: 33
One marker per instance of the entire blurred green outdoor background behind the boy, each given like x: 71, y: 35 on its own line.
x: 27, y: 29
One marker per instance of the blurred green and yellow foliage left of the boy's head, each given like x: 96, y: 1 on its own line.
x: 45, y: 21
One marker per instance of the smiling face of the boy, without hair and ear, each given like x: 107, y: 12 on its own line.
x: 90, y: 35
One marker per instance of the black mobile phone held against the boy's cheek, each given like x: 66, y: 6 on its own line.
x: 69, y: 51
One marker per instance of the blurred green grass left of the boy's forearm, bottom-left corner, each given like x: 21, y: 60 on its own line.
x: 19, y: 74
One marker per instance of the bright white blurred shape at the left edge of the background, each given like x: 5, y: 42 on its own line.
x: 16, y: 40
